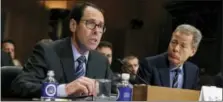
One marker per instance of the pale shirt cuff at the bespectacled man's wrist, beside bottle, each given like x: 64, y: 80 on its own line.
x: 61, y: 90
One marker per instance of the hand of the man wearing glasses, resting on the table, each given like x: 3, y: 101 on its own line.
x: 81, y: 86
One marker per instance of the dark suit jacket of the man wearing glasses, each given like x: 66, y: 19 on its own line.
x: 56, y: 56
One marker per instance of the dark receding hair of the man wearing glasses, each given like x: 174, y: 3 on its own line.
x: 77, y: 12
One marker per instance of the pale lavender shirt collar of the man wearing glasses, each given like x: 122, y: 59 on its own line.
x: 76, y: 54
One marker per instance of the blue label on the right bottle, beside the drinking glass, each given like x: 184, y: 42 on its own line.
x: 124, y: 94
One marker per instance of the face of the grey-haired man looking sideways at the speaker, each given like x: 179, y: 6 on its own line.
x: 181, y: 47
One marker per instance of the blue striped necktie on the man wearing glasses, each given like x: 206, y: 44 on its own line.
x: 80, y: 68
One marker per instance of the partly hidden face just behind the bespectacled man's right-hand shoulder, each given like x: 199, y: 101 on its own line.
x: 107, y: 52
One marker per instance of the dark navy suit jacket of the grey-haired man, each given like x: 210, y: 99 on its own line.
x: 155, y: 71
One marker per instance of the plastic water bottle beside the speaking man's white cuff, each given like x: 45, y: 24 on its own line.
x: 49, y: 87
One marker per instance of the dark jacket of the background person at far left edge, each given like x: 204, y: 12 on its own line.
x: 6, y: 59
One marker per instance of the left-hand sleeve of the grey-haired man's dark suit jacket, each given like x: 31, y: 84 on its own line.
x: 144, y: 73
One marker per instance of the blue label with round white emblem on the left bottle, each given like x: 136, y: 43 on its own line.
x: 49, y: 89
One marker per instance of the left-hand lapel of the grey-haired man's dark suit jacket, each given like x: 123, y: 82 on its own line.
x: 164, y: 71
